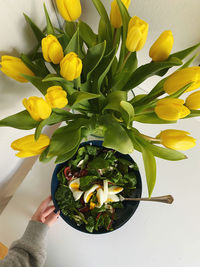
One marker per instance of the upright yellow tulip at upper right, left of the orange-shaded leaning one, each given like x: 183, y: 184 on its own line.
x: 137, y: 34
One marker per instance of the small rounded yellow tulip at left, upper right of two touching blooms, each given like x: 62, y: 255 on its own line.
x: 56, y: 97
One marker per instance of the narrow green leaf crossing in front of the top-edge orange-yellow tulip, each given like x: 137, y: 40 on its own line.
x: 125, y: 20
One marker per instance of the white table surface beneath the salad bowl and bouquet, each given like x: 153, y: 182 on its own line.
x: 157, y: 235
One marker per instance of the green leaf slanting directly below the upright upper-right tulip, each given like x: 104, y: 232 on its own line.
x: 122, y: 77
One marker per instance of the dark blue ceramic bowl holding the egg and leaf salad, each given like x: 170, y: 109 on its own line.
x: 123, y: 214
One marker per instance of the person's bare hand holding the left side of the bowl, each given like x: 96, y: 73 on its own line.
x: 45, y: 213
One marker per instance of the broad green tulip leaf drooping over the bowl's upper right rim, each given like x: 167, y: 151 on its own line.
x: 115, y: 136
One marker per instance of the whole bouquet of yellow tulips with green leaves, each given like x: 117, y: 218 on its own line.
x: 91, y: 74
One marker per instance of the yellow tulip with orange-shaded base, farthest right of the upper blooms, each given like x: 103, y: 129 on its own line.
x: 162, y: 47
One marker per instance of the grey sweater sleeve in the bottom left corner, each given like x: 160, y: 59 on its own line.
x: 30, y: 249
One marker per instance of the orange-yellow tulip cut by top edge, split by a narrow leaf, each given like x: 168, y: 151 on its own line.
x: 115, y: 15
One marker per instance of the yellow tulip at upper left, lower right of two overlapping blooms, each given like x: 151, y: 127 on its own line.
x: 71, y: 66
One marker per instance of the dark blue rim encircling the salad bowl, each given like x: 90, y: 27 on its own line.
x: 55, y: 182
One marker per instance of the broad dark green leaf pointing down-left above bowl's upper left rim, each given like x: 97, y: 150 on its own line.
x: 66, y: 138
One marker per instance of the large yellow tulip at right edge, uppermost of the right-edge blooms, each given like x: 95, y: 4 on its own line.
x: 181, y: 78
